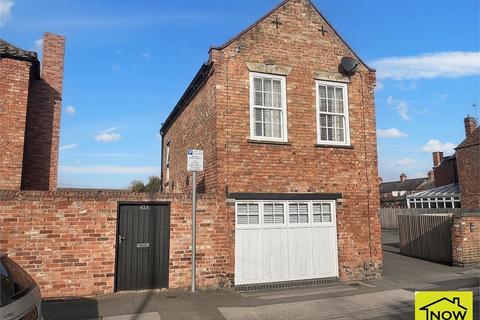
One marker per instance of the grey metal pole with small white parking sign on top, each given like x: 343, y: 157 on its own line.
x: 194, y: 165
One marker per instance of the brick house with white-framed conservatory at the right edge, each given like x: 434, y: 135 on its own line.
x: 456, y: 177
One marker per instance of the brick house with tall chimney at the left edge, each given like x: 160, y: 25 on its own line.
x: 30, y: 108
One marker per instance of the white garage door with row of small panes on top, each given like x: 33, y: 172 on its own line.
x: 285, y: 240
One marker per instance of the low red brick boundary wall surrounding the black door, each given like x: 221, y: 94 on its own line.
x: 66, y: 240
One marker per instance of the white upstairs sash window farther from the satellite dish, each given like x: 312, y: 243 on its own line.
x: 268, y: 116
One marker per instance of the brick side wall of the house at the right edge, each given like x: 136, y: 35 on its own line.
x: 468, y: 162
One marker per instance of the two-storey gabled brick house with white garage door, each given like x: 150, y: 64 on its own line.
x: 289, y: 140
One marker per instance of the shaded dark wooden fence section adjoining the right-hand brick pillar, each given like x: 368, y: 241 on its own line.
x: 426, y: 236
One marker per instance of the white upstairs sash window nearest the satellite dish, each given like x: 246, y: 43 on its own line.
x: 332, y: 113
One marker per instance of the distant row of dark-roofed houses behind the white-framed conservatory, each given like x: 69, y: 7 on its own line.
x: 393, y: 194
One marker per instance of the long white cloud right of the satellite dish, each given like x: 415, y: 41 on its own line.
x: 453, y: 64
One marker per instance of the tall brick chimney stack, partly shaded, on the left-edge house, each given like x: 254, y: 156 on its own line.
x: 43, y: 119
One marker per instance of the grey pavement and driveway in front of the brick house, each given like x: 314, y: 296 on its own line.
x: 391, y: 297
